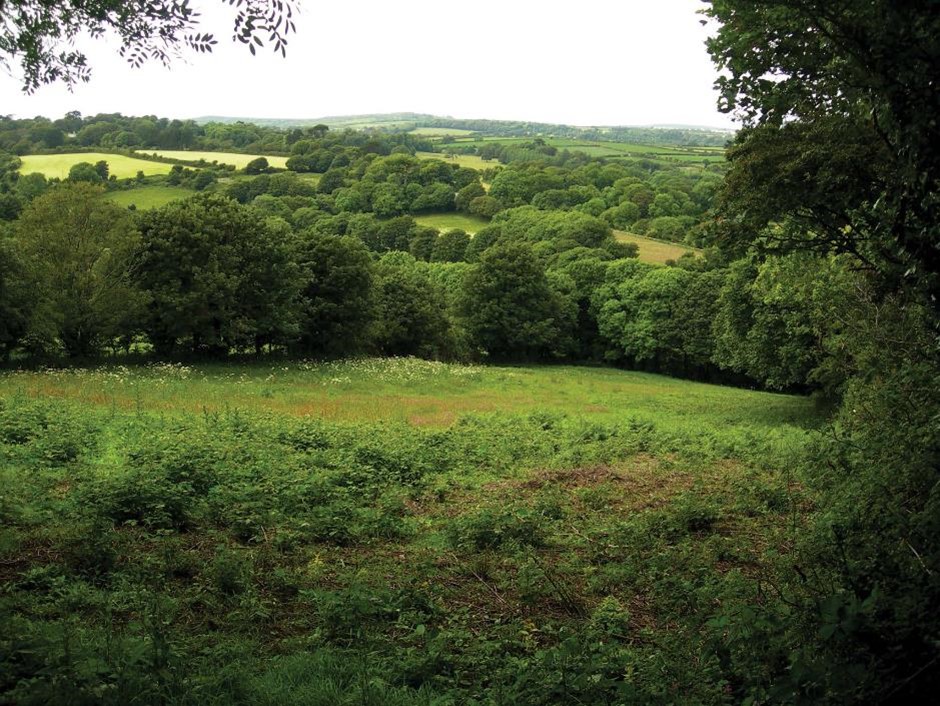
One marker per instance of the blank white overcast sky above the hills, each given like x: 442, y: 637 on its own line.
x: 590, y: 62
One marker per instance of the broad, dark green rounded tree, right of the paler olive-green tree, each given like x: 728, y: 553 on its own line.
x: 218, y: 276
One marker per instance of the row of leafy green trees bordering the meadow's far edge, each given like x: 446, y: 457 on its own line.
x: 210, y: 276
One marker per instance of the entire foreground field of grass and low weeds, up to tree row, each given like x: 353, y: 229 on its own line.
x: 382, y: 532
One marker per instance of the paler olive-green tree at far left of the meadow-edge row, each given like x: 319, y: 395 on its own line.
x: 80, y: 252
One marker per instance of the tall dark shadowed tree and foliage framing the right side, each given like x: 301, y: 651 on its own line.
x: 841, y: 153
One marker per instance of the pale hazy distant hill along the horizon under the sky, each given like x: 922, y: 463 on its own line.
x: 682, y: 135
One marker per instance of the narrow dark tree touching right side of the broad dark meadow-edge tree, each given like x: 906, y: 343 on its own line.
x: 337, y: 298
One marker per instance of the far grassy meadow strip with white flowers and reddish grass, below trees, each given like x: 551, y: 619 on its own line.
x: 413, y: 391
